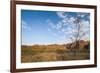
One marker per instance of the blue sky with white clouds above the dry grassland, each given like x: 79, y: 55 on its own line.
x: 50, y: 27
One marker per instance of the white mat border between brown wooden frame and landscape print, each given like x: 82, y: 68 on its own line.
x: 20, y: 65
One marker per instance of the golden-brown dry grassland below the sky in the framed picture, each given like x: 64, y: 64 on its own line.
x: 54, y: 52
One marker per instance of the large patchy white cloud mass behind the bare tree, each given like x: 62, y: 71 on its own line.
x: 68, y: 27
